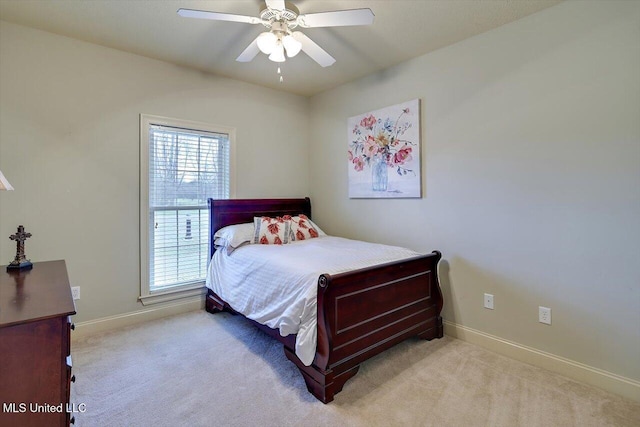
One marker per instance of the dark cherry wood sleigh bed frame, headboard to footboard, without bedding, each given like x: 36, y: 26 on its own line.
x: 360, y: 313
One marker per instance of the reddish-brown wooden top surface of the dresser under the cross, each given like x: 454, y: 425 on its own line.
x: 30, y: 295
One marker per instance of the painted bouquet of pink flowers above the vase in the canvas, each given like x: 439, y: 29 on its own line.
x: 377, y: 138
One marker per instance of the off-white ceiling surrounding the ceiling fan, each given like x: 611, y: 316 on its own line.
x: 402, y: 29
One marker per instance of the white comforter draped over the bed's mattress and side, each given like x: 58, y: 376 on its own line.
x: 276, y: 285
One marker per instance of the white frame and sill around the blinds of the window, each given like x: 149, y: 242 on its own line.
x: 146, y: 121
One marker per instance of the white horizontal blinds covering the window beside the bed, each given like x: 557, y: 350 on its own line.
x: 185, y: 167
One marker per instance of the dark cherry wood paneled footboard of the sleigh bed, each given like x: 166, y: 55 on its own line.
x: 364, y: 312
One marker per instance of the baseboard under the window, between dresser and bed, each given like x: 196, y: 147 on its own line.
x: 90, y: 327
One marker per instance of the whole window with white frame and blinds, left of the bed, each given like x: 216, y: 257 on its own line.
x: 182, y: 164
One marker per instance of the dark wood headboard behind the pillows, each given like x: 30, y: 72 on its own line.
x: 225, y: 212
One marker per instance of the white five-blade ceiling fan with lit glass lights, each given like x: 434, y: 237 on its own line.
x: 281, y: 18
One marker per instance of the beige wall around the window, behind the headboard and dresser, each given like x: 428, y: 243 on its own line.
x: 69, y: 144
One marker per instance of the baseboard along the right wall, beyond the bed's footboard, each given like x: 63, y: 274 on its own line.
x: 608, y: 381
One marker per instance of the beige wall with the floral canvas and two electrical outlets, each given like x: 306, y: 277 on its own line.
x: 531, y: 178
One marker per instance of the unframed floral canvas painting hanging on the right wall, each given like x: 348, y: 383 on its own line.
x: 384, y: 152
